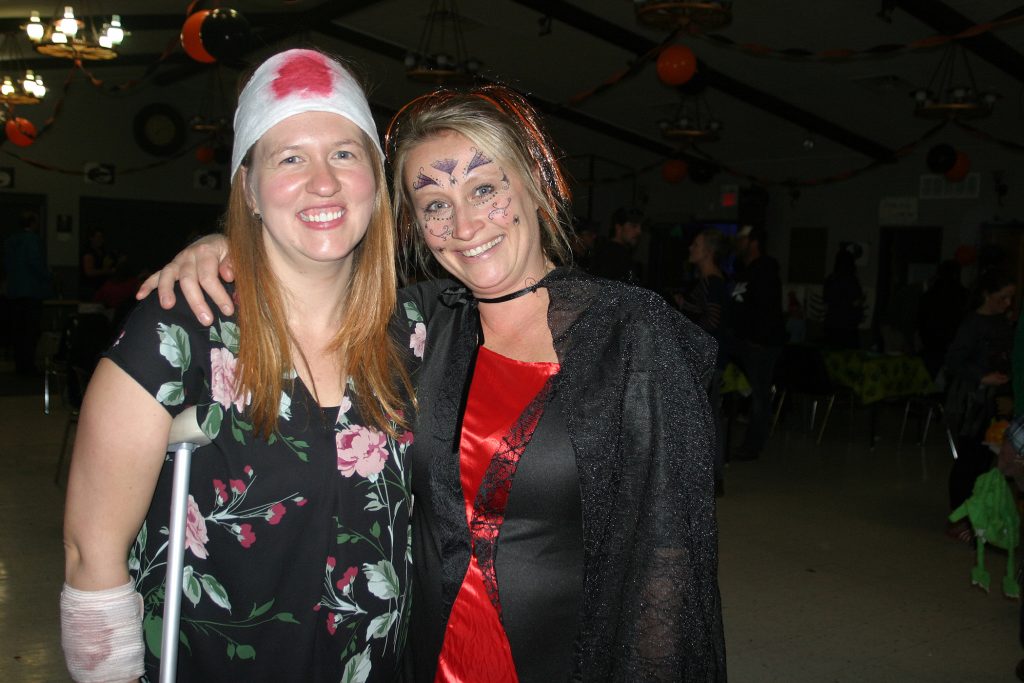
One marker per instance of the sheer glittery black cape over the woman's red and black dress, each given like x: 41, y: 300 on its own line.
x: 631, y: 393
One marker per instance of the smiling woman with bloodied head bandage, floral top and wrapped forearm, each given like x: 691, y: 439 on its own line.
x: 297, y: 558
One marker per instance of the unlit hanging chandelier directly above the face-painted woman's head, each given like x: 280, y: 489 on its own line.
x: 442, y: 56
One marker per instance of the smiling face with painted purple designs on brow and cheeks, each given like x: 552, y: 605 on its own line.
x: 475, y: 216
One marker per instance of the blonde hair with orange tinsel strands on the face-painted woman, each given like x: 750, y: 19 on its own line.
x: 500, y: 122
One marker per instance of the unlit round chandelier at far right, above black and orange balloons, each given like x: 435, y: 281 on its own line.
x: 952, y: 92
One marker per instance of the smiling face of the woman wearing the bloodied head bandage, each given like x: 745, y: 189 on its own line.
x: 312, y: 181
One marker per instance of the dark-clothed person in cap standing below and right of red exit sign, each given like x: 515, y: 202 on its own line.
x: 757, y: 322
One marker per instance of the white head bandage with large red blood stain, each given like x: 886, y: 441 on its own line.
x: 293, y: 82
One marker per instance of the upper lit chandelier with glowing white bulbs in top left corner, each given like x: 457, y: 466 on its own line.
x: 73, y: 38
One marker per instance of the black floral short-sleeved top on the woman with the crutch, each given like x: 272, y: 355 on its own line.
x: 297, y: 548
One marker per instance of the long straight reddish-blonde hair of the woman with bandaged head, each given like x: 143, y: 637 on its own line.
x: 367, y: 354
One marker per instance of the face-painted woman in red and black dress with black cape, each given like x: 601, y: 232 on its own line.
x: 565, y: 525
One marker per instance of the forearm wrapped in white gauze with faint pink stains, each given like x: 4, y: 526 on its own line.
x: 102, y: 634
